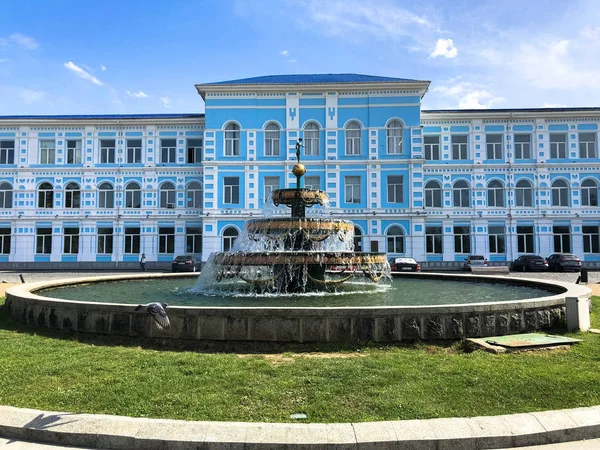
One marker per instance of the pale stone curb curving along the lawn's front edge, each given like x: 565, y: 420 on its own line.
x: 127, y: 433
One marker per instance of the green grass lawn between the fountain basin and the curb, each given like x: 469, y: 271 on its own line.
x: 67, y: 372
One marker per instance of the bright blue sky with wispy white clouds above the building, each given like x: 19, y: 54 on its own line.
x: 129, y: 56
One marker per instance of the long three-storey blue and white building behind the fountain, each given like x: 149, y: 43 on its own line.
x: 435, y: 185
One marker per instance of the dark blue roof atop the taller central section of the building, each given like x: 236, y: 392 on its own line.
x: 324, y: 78
